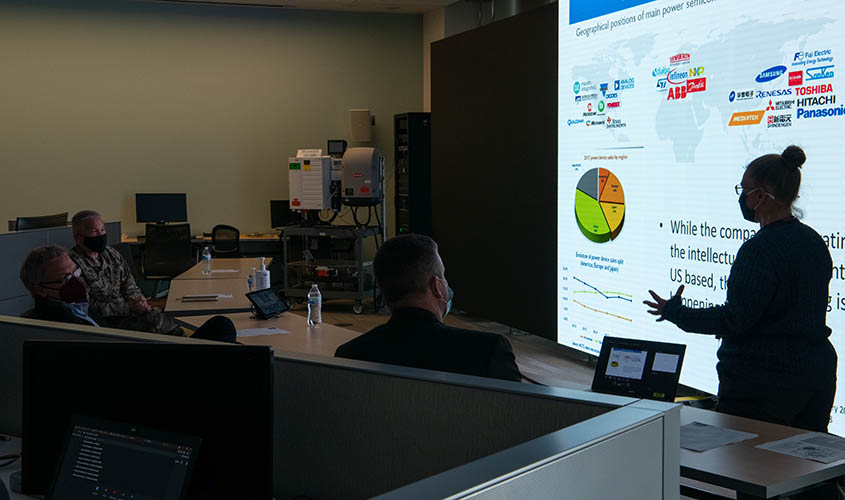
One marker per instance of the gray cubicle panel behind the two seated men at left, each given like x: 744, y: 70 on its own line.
x: 14, y: 246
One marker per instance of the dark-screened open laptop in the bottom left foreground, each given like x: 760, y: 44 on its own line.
x: 110, y: 460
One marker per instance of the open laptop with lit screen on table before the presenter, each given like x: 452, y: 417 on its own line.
x: 639, y: 368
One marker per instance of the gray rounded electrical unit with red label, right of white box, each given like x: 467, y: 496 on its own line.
x: 363, y: 177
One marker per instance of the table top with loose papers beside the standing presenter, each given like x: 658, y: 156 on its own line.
x: 747, y: 469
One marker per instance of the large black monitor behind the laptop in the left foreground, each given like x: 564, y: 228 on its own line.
x: 220, y: 393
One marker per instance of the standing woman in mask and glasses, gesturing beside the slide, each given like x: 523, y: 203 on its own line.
x: 775, y: 361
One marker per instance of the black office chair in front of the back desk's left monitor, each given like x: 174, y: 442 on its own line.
x: 167, y: 252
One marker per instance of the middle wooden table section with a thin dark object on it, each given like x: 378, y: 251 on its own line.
x: 237, y: 288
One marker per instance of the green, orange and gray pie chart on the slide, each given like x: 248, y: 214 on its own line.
x: 600, y: 205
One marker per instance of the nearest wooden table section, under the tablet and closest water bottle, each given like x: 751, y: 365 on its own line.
x: 322, y: 340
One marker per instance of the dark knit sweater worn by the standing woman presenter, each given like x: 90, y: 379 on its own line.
x: 772, y: 324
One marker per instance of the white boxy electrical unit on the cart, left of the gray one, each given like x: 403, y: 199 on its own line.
x: 309, y: 178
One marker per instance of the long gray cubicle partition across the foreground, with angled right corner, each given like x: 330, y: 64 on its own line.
x: 351, y: 430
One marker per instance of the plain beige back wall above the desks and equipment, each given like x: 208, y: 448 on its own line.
x: 100, y: 100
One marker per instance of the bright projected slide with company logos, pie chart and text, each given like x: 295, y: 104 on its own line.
x: 661, y: 104
